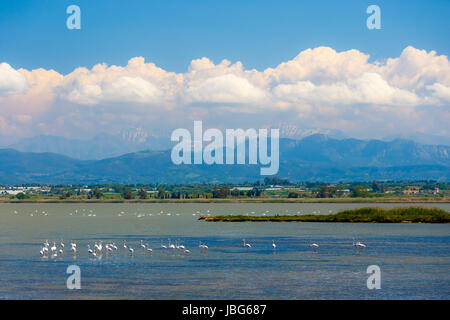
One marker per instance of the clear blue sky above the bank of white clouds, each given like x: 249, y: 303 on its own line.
x: 259, y: 33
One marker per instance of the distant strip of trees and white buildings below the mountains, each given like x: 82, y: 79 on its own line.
x: 270, y: 188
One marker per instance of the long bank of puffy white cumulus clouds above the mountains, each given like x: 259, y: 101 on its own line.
x: 319, y: 87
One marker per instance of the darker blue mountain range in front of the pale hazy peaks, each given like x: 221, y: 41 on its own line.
x: 314, y: 158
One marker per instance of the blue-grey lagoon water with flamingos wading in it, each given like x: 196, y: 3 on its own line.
x: 414, y: 258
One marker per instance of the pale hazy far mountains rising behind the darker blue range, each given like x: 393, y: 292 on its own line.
x: 107, y: 145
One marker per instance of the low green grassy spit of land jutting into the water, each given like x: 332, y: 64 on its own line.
x: 369, y: 214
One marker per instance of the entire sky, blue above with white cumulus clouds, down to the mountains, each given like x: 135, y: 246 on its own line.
x: 161, y: 64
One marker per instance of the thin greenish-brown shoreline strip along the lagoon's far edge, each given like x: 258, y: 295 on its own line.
x: 249, y: 200
